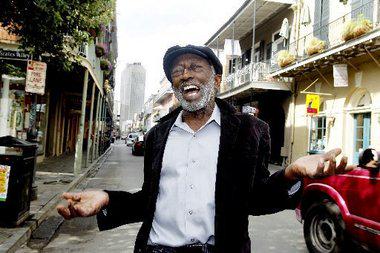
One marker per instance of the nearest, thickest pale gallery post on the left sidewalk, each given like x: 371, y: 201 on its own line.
x: 79, y: 143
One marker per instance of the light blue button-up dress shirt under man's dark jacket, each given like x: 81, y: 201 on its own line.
x: 185, y: 208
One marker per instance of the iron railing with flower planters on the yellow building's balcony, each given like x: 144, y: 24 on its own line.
x: 331, y: 33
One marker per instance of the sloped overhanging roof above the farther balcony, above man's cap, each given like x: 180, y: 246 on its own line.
x: 243, y: 19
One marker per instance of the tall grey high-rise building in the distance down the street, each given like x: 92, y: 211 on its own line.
x: 132, y: 92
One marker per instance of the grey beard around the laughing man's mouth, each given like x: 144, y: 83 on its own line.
x: 207, y: 91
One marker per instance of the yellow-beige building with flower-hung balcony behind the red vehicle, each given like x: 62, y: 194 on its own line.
x: 344, y: 72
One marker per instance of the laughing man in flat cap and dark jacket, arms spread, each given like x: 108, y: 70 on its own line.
x: 205, y: 170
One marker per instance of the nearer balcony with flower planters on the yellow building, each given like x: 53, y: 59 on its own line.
x: 336, y: 49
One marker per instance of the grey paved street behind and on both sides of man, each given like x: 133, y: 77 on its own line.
x: 122, y: 171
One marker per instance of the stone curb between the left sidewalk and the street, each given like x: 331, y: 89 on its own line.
x: 23, y: 234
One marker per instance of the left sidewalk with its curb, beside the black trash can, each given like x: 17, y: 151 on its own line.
x: 53, y: 177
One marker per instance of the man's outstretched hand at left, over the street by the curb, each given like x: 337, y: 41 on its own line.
x: 83, y: 204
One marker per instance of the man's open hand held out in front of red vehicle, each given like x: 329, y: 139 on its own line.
x: 317, y: 166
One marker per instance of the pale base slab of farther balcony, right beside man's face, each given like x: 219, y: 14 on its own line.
x: 256, y: 87
